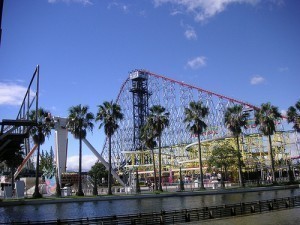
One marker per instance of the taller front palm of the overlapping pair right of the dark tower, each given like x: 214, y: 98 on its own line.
x: 158, y: 120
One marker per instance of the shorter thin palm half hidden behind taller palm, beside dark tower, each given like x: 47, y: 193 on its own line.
x: 147, y: 136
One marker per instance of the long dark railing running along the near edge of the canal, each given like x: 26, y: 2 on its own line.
x: 184, y: 215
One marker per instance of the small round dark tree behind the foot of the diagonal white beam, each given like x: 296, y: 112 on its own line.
x: 97, y: 172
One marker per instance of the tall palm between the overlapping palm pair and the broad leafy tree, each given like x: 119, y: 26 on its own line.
x: 194, y: 118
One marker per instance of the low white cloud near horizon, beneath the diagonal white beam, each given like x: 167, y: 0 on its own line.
x: 87, y: 162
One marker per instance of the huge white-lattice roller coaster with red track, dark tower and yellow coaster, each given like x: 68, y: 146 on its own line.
x: 143, y: 89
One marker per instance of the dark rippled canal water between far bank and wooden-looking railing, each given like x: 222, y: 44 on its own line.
x: 131, y: 206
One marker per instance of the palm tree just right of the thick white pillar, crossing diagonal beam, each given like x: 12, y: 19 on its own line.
x: 79, y: 121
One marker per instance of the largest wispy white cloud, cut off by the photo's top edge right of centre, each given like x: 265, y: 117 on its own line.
x: 204, y: 9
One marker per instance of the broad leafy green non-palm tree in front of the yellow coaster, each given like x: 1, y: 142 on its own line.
x: 223, y: 156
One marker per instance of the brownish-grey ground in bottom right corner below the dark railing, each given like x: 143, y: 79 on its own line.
x: 283, y: 217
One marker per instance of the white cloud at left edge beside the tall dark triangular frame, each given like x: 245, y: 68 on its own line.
x: 11, y: 94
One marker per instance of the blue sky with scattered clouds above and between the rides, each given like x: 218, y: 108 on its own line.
x: 244, y: 49
